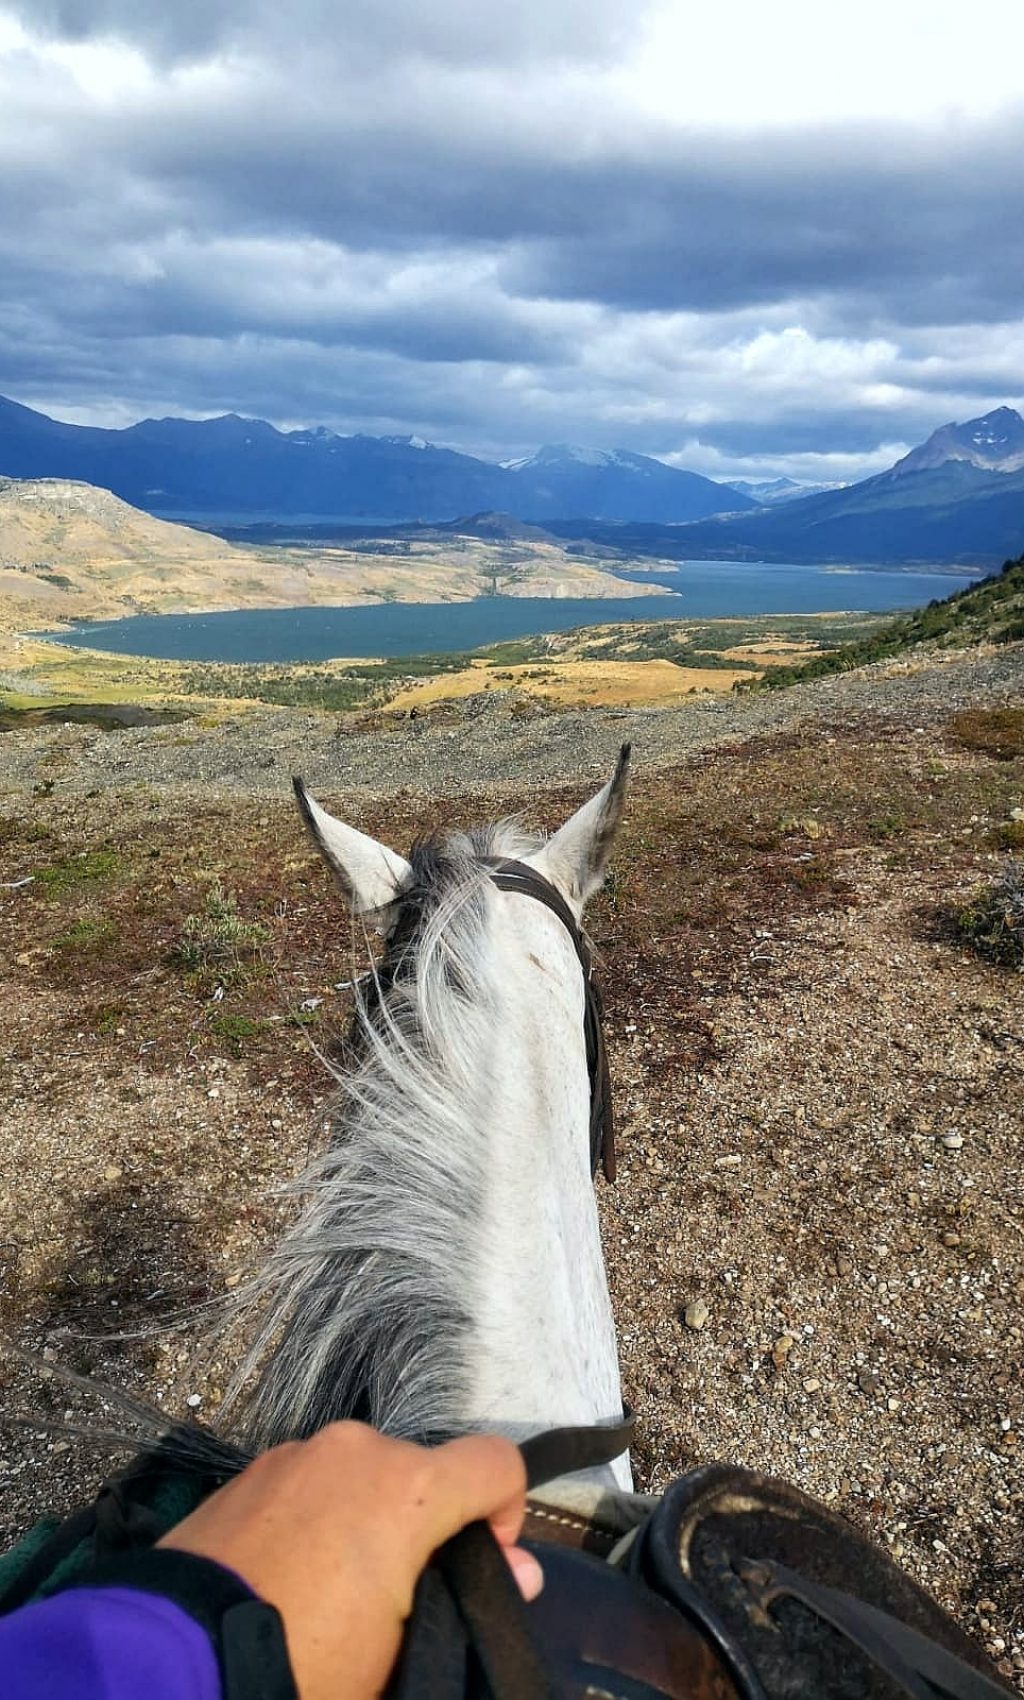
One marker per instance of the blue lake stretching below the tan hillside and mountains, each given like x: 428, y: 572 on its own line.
x: 705, y: 591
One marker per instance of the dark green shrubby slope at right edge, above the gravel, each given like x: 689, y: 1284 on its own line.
x: 989, y: 613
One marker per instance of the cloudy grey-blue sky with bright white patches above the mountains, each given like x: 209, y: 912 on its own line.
x: 746, y: 239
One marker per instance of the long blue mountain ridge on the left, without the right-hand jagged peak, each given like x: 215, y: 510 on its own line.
x: 230, y: 470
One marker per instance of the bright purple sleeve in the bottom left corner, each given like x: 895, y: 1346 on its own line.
x: 106, y: 1645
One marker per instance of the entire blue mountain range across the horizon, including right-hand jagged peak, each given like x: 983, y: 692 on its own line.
x: 959, y: 499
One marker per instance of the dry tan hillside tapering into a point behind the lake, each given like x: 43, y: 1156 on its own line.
x: 71, y: 552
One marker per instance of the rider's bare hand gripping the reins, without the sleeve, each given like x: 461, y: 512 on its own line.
x: 336, y: 1531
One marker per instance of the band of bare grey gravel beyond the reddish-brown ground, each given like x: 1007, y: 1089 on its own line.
x: 484, y: 744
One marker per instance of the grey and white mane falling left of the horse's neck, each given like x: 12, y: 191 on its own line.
x: 361, y: 1308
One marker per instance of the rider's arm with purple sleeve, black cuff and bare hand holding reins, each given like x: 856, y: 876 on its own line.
x: 333, y: 1533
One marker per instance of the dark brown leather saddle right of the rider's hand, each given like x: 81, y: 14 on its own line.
x: 736, y: 1589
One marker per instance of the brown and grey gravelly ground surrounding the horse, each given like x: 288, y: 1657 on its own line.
x: 817, y: 1238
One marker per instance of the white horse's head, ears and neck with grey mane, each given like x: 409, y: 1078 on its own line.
x: 447, y: 1271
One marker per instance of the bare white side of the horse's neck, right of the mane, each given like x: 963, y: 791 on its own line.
x: 542, y: 1335
